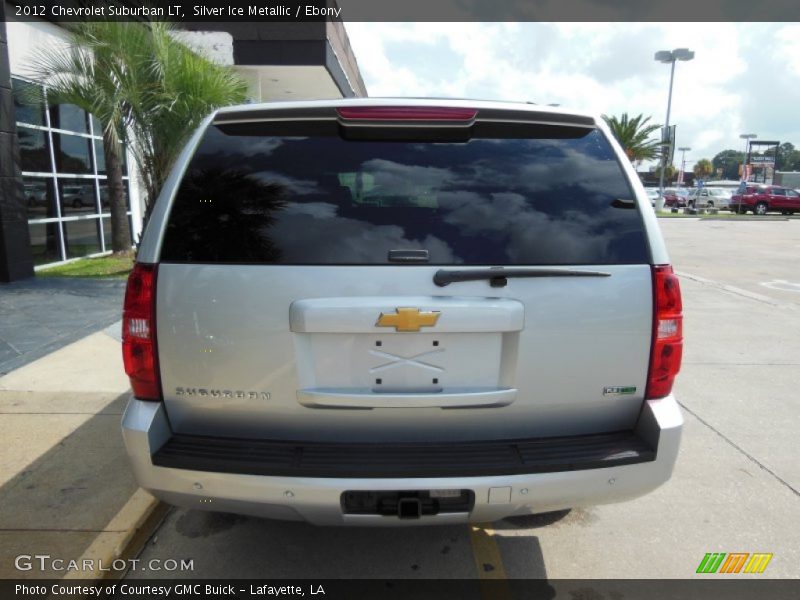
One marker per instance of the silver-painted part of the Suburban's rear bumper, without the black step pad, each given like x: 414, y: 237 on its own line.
x: 317, y: 500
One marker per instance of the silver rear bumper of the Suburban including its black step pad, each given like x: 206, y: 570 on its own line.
x: 187, y: 471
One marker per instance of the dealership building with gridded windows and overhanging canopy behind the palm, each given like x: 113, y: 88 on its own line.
x: 53, y: 192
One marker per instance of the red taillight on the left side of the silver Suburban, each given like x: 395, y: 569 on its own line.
x: 139, y: 333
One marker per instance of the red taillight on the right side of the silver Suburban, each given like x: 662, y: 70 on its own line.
x: 667, y: 346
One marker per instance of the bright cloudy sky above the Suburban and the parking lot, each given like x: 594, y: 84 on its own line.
x: 745, y: 77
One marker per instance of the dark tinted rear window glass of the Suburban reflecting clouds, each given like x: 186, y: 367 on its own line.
x: 254, y: 195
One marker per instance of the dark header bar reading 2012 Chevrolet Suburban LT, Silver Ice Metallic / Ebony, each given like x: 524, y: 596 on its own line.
x: 288, y: 11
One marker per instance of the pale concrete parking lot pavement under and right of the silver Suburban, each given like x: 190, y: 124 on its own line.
x: 735, y: 487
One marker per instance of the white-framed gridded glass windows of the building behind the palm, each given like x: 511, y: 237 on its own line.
x: 64, y: 177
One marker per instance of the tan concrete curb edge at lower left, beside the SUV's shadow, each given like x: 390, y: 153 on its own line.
x: 123, y: 538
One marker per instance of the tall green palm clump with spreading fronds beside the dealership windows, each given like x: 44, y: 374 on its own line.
x: 147, y: 89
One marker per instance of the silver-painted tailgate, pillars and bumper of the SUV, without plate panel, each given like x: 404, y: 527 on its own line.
x: 229, y: 327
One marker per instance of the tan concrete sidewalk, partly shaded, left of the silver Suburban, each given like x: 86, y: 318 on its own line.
x: 65, y: 486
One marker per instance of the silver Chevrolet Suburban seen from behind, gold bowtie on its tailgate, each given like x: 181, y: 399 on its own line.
x: 392, y: 311
